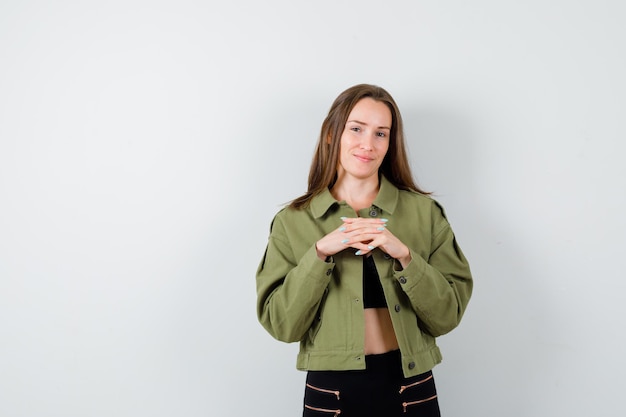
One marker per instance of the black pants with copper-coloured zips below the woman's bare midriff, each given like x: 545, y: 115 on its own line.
x: 378, y: 391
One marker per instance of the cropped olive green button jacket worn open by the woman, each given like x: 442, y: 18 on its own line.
x: 301, y: 298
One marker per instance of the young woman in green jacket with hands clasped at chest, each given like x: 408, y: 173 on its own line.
x: 363, y: 270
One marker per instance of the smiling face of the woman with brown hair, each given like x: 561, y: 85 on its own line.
x: 365, y: 140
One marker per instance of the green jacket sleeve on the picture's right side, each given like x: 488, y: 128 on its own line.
x: 438, y: 287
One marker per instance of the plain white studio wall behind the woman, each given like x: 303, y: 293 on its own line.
x: 146, y: 145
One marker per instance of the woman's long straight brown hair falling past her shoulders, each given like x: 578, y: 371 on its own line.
x: 323, y: 173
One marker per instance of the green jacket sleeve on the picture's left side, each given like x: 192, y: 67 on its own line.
x: 289, y: 288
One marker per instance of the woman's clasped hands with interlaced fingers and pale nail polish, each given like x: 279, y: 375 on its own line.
x: 364, y: 235
